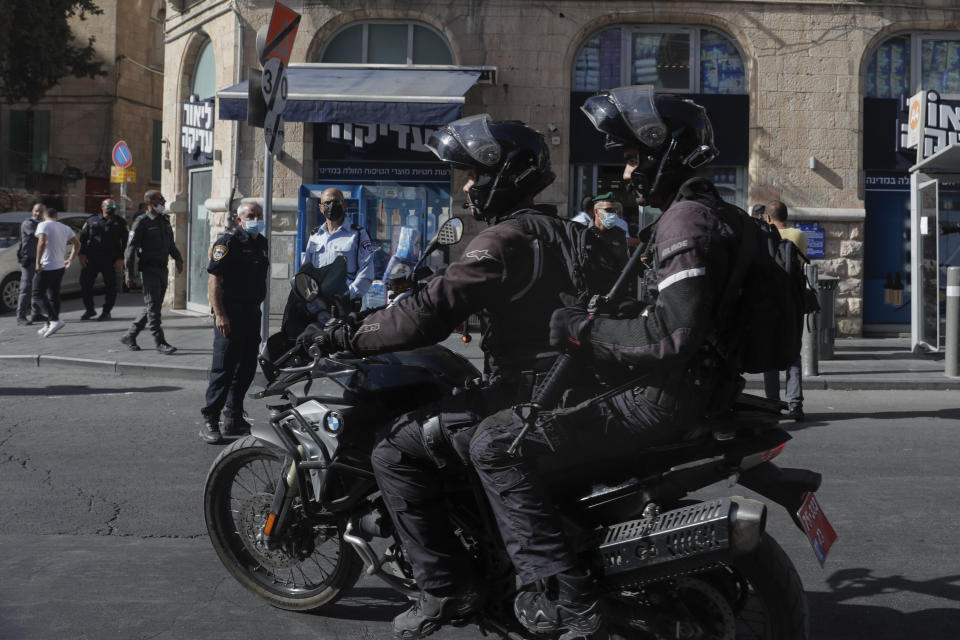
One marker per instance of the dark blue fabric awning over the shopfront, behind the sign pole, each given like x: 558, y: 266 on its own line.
x: 384, y: 94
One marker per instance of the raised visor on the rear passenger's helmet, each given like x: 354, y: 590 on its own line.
x: 628, y: 115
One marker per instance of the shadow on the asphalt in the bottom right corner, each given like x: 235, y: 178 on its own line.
x: 830, y: 612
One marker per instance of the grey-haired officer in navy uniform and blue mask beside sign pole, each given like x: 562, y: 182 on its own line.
x: 236, y: 286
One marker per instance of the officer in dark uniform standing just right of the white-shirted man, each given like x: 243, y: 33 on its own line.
x: 103, y: 240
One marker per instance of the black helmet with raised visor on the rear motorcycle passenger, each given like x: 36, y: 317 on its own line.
x: 673, y: 137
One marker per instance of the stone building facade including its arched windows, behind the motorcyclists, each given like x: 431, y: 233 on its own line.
x: 794, y: 108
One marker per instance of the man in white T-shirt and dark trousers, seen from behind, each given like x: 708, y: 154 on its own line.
x: 52, y: 240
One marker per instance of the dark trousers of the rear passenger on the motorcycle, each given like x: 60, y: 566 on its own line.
x: 595, y: 437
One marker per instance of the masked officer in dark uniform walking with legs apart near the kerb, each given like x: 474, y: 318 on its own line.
x: 151, y: 244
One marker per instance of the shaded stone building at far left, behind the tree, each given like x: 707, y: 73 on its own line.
x: 60, y: 148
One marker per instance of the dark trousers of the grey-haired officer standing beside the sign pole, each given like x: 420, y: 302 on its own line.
x: 234, y: 363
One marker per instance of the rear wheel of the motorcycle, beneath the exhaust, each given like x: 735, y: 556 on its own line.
x: 757, y: 597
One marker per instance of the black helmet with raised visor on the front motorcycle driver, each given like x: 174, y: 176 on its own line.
x: 511, y: 161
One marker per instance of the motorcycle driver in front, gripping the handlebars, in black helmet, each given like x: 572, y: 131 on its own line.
x: 516, y: 279
